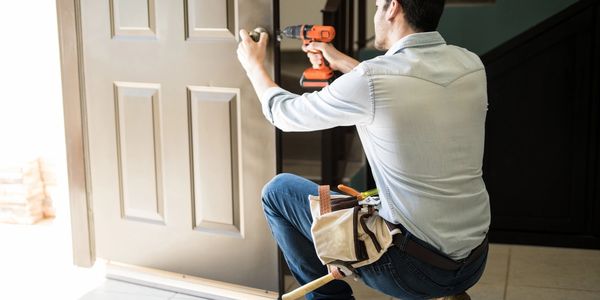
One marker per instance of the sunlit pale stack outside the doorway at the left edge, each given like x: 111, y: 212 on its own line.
x: 23, y: 195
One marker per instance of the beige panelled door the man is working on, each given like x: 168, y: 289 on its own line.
x: 178, y: 147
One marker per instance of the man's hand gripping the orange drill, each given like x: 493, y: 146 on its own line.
x: 337, y: 60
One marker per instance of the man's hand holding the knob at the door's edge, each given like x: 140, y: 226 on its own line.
x: 250, y: 54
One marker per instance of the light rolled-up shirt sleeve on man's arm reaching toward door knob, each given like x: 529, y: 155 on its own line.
x: 347, y: 101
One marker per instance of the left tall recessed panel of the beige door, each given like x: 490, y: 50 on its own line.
x: 138, y: 154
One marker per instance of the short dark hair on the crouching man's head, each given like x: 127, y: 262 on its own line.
x: 421, y: 15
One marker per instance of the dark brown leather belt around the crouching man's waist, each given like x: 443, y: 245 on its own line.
x: 426, y: 255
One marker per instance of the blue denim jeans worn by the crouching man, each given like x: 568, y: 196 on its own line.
x: 286, y: 207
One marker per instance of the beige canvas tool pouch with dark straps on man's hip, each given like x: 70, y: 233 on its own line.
x: 350, y: 236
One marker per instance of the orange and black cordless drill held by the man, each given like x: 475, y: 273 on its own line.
x: 314, y: 77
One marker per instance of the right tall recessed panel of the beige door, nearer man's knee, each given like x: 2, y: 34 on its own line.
x: 215, y: 143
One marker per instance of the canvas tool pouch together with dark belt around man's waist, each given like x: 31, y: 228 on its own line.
x: 349, y: 235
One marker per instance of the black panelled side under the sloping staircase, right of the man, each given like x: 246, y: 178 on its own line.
x: 541, y: 161
